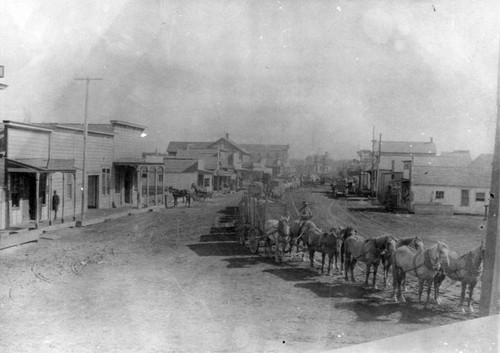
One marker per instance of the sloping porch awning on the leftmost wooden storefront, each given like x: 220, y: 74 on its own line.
x: 40, y: 165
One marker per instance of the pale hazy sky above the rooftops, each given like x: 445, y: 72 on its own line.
x: 318, y: 75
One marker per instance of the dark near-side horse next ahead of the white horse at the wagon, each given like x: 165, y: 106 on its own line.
x: 318, y: 241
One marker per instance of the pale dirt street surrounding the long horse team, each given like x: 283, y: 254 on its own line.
x: 173, y: 281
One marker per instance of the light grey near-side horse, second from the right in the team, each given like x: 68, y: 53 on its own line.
x: 423, y: 264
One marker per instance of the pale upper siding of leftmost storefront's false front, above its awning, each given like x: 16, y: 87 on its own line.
x: 27, y: 144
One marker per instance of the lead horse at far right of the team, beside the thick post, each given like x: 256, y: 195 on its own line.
x: 466, y: 268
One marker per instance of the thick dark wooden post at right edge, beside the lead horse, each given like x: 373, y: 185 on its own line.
x: 488, y: 304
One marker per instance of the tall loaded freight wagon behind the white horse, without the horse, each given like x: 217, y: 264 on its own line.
x: 254, y: 211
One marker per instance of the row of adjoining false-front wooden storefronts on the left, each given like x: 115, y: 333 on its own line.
x: 38, y: 159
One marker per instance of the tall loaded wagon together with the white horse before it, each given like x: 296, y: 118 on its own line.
x: 261, y: 222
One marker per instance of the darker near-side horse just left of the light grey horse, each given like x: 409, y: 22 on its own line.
x: 369, y: 251
